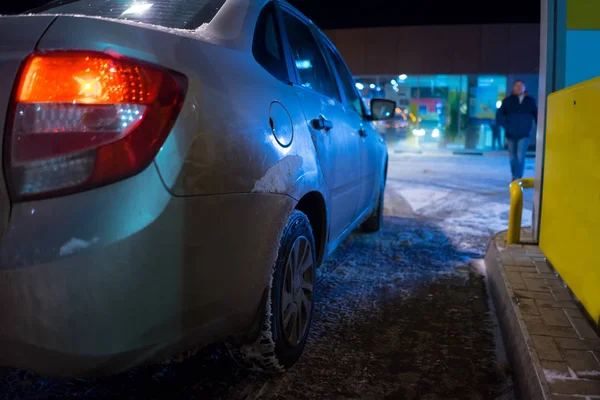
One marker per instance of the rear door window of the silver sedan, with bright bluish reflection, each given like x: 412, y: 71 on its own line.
x: 314, y: 71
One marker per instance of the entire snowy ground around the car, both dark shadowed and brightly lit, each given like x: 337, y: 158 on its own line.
x: 401, y: 314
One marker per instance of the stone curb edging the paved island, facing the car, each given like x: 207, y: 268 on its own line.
x: 528, y: 374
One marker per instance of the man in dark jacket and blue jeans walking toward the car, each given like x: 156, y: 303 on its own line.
x: 516, y: 115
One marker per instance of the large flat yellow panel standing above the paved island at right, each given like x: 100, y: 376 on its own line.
x: 570, y: 226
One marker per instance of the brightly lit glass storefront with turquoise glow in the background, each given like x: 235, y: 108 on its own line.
x: 451, y: 112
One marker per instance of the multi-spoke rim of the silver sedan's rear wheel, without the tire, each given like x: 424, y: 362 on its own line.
x: 297, y: 291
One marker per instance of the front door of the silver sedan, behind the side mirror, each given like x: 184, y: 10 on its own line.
x: 368, y: 138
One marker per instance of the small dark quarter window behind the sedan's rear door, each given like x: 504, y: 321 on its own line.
x: 266, y: 45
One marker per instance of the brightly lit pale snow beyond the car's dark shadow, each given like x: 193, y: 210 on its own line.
x: 466, y: 196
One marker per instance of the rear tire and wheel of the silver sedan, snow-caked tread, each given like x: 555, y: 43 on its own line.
x: 289, y: 306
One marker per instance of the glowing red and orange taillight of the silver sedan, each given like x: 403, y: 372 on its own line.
x: 84, y: 119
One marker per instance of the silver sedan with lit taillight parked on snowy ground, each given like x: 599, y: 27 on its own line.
x: 175, y: 171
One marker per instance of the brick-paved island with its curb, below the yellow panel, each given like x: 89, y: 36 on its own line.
x: 554, y: 348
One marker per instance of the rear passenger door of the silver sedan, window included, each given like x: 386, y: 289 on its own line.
x: 337, y: 143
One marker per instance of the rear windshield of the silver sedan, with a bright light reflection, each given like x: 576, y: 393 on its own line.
x: 176, y: 14
